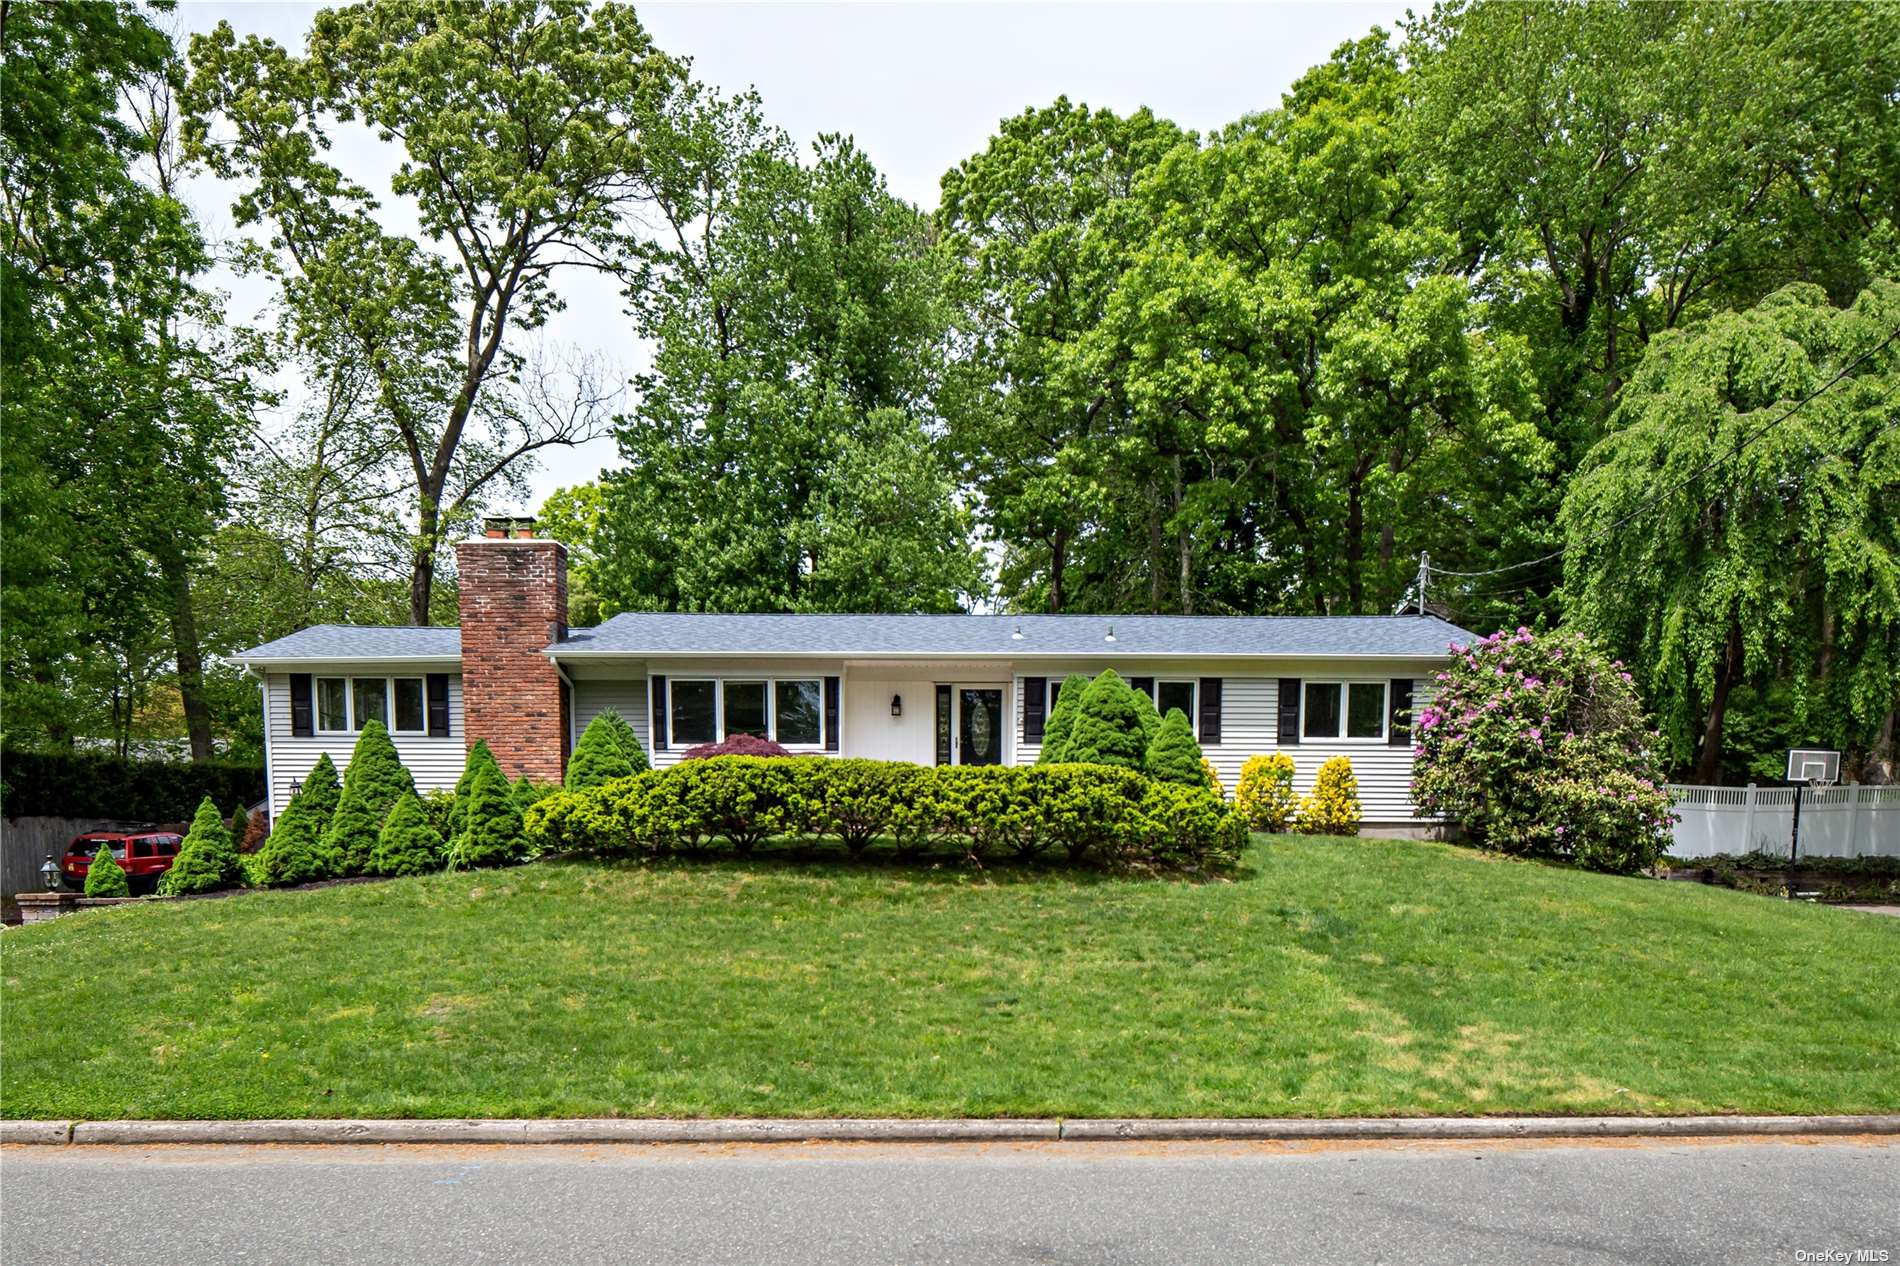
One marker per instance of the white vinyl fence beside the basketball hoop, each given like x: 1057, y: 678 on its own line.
x: 1836, y: 822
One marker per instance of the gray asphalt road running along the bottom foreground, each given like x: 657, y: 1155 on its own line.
x: 854, y: 1204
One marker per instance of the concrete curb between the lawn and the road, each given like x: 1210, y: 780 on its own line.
x: 1048, y: 1130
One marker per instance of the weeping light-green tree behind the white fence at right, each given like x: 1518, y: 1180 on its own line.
x: 1726, y: 531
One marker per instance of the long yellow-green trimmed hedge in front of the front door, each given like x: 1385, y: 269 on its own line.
x: 1082, y: 813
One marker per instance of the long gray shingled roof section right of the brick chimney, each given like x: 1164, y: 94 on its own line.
x: 668, y: 634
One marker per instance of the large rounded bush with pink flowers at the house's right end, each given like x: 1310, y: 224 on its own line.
x: 1536, y: 744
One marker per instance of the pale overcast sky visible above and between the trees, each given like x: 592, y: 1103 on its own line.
x: 921, y: 86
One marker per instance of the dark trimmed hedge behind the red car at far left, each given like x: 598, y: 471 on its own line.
x: 81, y: 784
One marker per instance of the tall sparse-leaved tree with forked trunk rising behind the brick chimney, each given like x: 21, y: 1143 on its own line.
x: 525, y: 134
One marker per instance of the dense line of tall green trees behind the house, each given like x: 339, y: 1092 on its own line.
x: 1591, y: 305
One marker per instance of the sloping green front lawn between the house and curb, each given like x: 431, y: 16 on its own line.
x: 1331, y: 978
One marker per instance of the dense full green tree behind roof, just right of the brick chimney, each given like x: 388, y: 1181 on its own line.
x: 782, y: 455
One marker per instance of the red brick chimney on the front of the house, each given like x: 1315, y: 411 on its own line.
x: 514, y: 605
